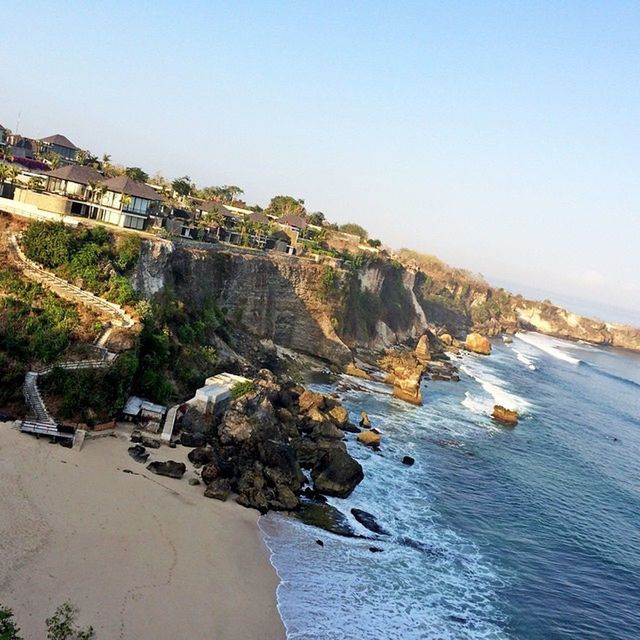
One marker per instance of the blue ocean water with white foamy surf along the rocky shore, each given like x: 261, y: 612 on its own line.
x: 530, y: 533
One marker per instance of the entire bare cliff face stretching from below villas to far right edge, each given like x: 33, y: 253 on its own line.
x: 329, y: 312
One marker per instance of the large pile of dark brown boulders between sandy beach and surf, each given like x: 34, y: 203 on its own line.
x: 260, y: 445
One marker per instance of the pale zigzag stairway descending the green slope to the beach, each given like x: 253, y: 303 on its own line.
x: 42, y: 422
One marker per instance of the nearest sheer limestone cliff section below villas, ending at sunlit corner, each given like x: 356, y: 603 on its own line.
x: 274, y: 297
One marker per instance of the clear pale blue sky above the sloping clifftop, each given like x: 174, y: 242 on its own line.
x: 501, y: 136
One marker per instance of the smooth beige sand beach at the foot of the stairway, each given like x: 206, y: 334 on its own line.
x: 142, y: 556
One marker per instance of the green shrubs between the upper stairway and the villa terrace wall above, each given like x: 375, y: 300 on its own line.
x: 90, y: 258
